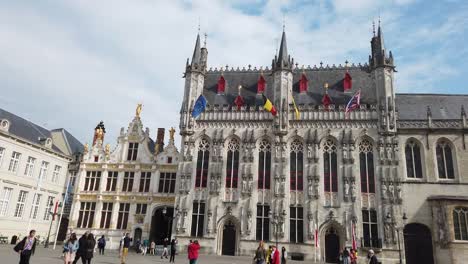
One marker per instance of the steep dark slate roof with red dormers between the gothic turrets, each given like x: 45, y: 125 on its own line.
x: 317, y: 76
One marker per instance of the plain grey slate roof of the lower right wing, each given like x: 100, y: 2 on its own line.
x: 443, y: 106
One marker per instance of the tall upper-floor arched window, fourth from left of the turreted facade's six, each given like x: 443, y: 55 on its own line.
x: 296, y: 167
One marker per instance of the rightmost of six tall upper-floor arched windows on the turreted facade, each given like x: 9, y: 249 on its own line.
x: 366, y: 165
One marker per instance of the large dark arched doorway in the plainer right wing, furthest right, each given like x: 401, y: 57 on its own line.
x: 418, y: 244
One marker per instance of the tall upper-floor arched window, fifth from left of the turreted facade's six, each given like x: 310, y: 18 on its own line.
x: 330, y: 166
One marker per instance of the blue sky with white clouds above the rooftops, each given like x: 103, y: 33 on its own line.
x: 73, y: 63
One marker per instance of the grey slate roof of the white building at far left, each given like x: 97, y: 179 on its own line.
x: 29, y: 131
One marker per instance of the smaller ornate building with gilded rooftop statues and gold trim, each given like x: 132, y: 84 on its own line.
x: 127, y: 189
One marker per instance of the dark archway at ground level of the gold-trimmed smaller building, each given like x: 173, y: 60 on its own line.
x: 161, y: 224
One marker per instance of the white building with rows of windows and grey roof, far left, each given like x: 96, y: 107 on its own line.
x: 34, y: 165
